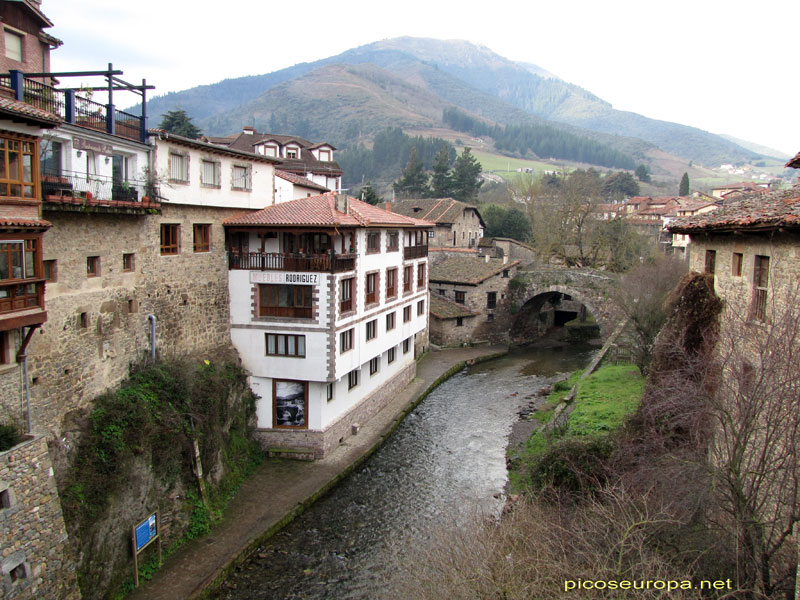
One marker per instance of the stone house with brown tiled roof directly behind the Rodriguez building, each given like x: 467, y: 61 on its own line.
x: 458, y: 225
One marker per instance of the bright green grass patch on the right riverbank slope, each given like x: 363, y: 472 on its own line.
x: 603, y: 402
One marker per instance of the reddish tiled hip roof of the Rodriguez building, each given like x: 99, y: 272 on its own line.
x: 320, y: 211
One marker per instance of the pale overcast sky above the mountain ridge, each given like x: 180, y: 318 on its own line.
x: 724, y: 66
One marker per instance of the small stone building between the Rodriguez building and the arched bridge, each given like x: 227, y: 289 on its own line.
x: 480, y: 286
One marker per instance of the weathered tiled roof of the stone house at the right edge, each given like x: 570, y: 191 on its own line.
x: 754, y: 212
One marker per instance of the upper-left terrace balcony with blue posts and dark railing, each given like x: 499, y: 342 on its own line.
x: 72, y: 108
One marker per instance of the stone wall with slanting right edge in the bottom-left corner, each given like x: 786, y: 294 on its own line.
x: 35, y: 561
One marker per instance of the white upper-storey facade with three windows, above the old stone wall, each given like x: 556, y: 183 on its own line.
x: 202, y: 174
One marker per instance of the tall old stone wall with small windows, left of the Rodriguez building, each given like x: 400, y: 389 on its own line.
x: 97, y: 326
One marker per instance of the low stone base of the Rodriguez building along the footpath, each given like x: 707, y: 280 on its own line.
x: 321, y: 443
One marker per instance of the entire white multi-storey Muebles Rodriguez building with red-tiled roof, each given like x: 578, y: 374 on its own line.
x: 328, y: 294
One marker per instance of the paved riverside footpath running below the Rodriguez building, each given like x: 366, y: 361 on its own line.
x: 280, y: 490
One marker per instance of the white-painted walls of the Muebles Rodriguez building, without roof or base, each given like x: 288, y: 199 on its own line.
x: 327, y: 367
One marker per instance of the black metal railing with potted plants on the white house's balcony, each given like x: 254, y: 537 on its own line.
x: 69, y: 184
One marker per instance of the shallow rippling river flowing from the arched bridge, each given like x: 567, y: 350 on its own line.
x: 443, y: 463
